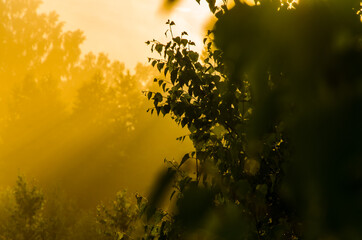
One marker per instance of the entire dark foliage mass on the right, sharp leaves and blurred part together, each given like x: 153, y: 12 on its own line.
x: 273, y: 112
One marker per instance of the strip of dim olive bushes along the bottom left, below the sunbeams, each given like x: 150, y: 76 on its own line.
x: 27, y: 213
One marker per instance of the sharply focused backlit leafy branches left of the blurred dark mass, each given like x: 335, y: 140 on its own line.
x: 229, y: 171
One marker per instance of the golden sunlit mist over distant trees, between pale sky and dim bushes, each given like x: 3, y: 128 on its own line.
x: 73, y: 120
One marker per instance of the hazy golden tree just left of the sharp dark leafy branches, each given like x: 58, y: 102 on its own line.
x: 109, y: 94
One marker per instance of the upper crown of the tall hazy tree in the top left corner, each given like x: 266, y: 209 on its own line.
x: 34, y: 43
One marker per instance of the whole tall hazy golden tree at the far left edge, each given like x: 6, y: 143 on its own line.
x: 35, y: 55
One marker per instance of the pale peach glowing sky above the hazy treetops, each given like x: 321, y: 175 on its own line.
x: 120, y: 27
